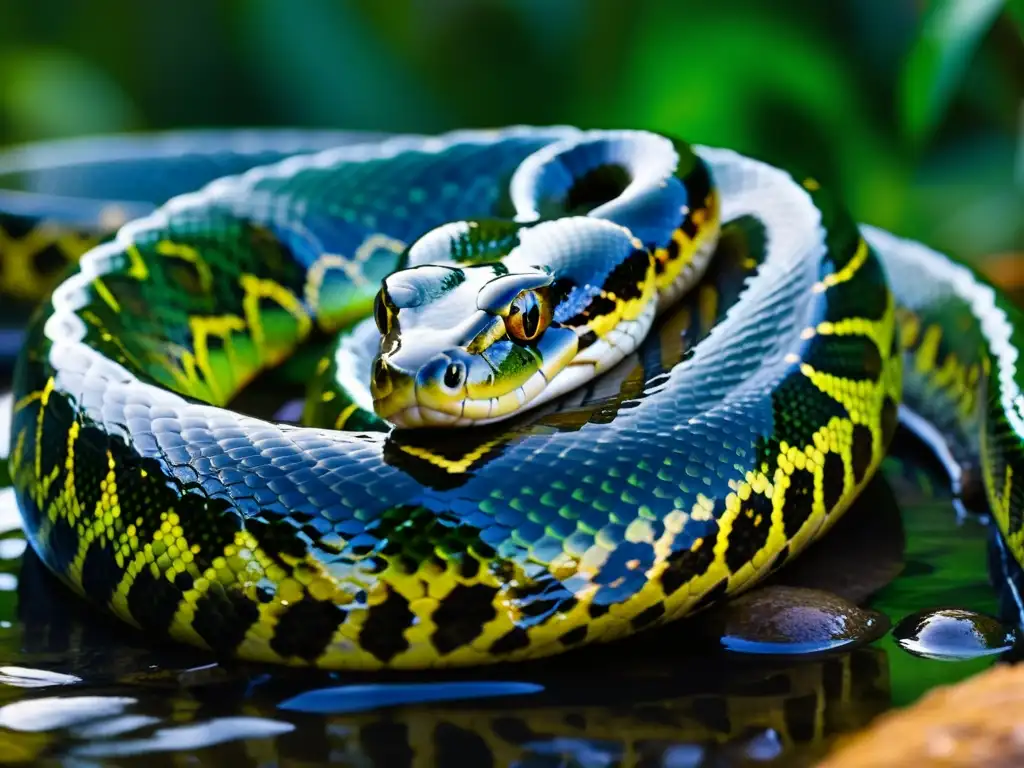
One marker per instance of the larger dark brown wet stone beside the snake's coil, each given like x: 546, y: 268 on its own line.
x: 779, y: 620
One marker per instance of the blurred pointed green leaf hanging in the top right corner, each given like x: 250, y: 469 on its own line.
x: 951, y: 32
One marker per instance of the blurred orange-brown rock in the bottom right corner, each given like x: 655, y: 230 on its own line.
x: 976, y: 722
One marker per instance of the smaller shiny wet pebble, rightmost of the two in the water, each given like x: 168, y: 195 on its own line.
x: 953, y: 634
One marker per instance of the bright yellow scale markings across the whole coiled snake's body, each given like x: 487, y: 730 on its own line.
x: 242, y: 564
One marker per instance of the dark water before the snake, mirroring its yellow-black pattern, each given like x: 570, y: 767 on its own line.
x: 89, y: 690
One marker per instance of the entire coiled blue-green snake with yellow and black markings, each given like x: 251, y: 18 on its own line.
x: 515, y: 443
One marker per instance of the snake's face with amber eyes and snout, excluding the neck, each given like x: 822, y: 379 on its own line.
x: 464, y: 346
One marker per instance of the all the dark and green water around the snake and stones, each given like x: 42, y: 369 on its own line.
x: 79, y: 690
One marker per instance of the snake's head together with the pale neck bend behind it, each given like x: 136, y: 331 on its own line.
x: 484, y: 340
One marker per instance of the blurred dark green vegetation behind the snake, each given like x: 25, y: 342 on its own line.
x: 915, y: 108
